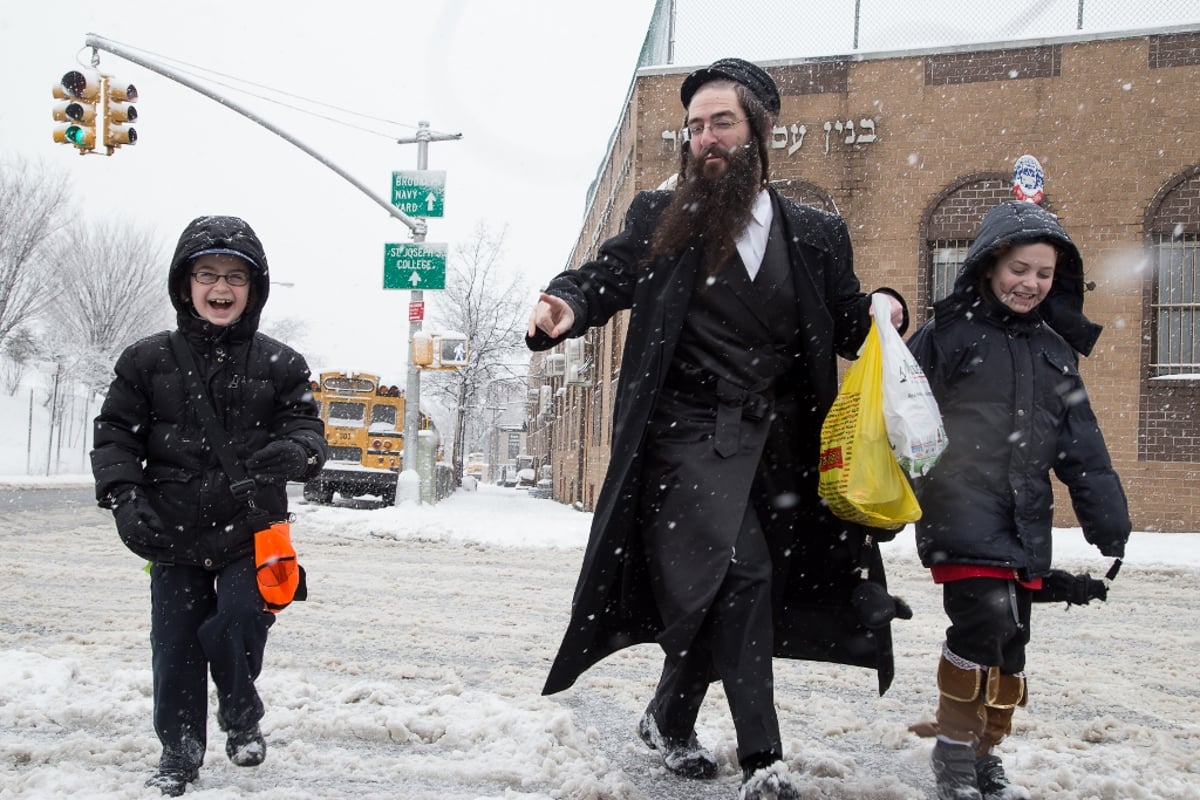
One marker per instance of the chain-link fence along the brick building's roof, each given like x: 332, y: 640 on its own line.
x: 692, y: 33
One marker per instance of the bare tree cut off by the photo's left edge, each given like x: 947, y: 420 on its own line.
x: 34, y: 206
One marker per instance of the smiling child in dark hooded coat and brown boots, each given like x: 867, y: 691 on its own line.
x: 1000, y: 354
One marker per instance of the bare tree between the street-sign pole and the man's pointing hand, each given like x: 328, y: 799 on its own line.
x: 489, y: 304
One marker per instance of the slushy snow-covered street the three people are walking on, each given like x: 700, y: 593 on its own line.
x: 415, y: 671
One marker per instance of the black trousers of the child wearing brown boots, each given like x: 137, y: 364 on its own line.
x: 989, y: 622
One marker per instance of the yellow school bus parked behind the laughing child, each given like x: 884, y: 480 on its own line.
x: 365, y: 431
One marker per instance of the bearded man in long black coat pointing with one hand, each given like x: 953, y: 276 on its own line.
x: 709, y: 536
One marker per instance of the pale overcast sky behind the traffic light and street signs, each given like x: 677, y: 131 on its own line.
x: 535, y: 88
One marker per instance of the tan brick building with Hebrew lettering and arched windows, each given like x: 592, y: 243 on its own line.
x: 913, y: 149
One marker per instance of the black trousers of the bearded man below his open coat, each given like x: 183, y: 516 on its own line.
x: 736, y: 642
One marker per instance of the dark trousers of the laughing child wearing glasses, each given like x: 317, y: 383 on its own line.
x: 201, y: 622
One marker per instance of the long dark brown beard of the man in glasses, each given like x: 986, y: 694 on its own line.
x: 711, y: 213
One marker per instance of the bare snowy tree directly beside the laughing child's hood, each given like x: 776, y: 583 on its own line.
x: 111, y: 281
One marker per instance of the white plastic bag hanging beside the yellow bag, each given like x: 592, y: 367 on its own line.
x: 910, y: 412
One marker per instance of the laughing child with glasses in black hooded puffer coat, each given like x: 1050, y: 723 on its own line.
x: 171, y: 498
